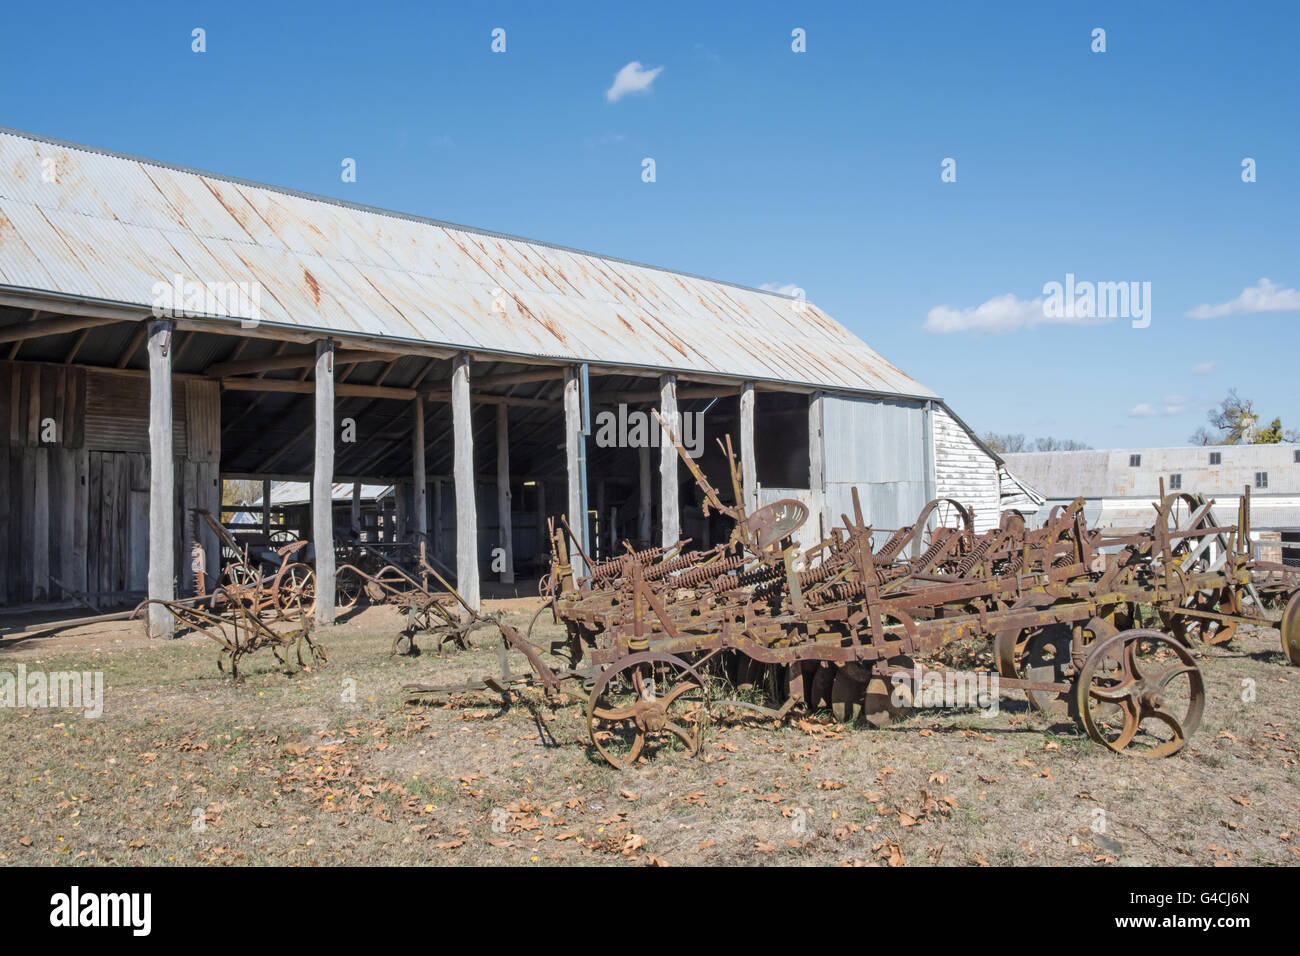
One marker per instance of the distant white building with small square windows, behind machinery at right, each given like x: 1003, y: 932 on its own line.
x: 1124, y: 485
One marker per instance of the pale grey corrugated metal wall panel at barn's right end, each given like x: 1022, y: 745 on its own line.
x: 879, y: 448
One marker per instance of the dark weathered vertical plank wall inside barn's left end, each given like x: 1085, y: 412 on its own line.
x: 75, y: 477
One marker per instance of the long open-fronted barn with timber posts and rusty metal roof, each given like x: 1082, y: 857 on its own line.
x: 166, y: 331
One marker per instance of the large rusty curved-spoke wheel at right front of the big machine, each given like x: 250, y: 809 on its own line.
x: 1141, y: 694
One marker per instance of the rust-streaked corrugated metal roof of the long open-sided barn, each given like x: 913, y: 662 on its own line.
x: 111, y: 227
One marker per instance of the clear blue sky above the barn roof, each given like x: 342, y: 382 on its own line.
x: 818, y: 170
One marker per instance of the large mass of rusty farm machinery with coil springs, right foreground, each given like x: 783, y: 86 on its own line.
x: 1102, y: 629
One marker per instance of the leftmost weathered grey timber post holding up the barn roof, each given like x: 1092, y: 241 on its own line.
x: 162, y: 481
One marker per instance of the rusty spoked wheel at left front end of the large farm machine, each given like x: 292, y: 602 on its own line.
x: 647, y: 700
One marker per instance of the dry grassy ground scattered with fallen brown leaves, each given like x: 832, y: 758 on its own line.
x: 332, y: 767
